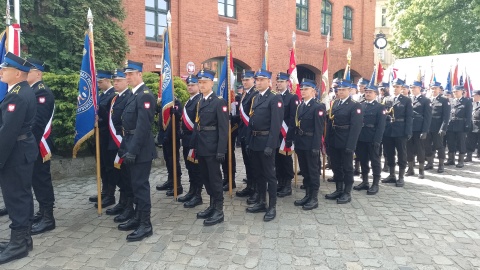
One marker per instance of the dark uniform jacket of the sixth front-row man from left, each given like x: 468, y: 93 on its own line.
x: 344, y: 129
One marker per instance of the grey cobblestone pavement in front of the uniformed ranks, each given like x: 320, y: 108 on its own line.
x: 432, y: 223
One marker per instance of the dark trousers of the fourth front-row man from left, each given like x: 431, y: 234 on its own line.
x: 264, y: 173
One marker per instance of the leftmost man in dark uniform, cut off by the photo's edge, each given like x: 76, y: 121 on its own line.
x: 19, y: 150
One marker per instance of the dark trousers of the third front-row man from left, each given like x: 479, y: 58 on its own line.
x: 212, y: 177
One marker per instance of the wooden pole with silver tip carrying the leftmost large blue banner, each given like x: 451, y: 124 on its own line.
x: 97, y: 135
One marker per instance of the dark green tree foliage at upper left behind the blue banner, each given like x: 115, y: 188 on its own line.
x: 54, y: 31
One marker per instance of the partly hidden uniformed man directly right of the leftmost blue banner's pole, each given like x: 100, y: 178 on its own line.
x: 106, y: 169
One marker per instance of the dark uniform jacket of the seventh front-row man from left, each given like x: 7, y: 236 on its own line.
x: 373, y: 122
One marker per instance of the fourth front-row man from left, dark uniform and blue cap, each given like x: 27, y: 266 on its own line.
x: 266, y: 115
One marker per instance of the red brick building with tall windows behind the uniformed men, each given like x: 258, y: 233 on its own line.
x: 199, y: 27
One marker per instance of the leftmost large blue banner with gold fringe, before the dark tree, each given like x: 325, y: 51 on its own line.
x: 87, y: 97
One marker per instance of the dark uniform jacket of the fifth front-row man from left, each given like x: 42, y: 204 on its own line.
x: 310, y: 119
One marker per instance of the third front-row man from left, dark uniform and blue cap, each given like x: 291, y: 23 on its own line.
x: 211, y: 142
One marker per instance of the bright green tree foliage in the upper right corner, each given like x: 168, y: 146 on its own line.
x: 434, y: 27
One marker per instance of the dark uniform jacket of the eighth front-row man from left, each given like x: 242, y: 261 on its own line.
x: 402, y: 116
